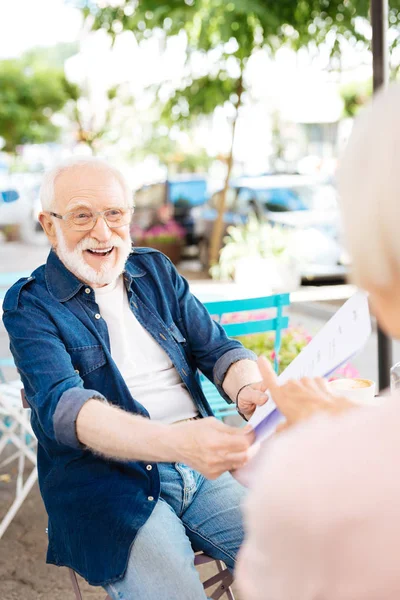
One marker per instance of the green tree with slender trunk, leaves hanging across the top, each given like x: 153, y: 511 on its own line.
x: 227, y: 33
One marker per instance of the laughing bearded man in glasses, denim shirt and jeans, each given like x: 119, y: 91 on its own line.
x: 132, y: 466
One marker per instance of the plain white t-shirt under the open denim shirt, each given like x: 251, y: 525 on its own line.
x: 146, y: 368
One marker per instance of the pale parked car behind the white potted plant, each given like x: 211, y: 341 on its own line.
x: 304, y: 204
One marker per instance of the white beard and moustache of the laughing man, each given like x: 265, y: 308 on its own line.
x: 75, y: 262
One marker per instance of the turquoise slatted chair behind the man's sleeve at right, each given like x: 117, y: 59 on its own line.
x: 246, y: 323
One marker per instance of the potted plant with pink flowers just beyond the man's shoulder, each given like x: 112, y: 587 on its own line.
x: 163, y: 234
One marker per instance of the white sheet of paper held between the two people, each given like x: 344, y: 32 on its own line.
x: 344, y: 335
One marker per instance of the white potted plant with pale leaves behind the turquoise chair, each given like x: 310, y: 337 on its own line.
x: 257, y: 253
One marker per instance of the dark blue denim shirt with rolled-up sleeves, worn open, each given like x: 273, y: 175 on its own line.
x: 61, y: 348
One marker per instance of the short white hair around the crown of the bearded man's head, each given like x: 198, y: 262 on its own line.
x: 47, y: 197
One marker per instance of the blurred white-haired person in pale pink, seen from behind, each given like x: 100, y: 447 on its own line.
x: 323, y: 517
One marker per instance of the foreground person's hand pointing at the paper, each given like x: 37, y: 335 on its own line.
x: 301, y: 399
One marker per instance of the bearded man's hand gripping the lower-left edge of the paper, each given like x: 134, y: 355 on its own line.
x: 210, y: 447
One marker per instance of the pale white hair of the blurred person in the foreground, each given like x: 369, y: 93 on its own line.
x: 369, y: 191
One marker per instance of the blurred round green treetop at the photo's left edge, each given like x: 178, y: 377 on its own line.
x: 29, y: 97
